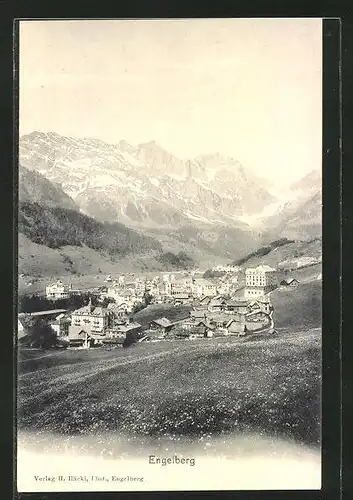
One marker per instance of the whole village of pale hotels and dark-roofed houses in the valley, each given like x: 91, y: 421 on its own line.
x: 232, y: 301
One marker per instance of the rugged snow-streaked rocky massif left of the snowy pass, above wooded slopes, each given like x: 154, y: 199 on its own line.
x: 144, y: 185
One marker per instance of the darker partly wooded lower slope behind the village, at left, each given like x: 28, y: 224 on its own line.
x: 82, y: 236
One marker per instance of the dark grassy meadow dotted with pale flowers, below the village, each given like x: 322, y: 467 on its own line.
x: 177, y: 388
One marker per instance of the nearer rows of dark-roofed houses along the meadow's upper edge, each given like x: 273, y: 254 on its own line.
x: 92, y: 326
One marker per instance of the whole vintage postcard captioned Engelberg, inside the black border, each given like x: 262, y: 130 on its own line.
x: 169, y: 330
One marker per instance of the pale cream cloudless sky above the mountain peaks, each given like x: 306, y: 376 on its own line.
x: 250, y: 89
